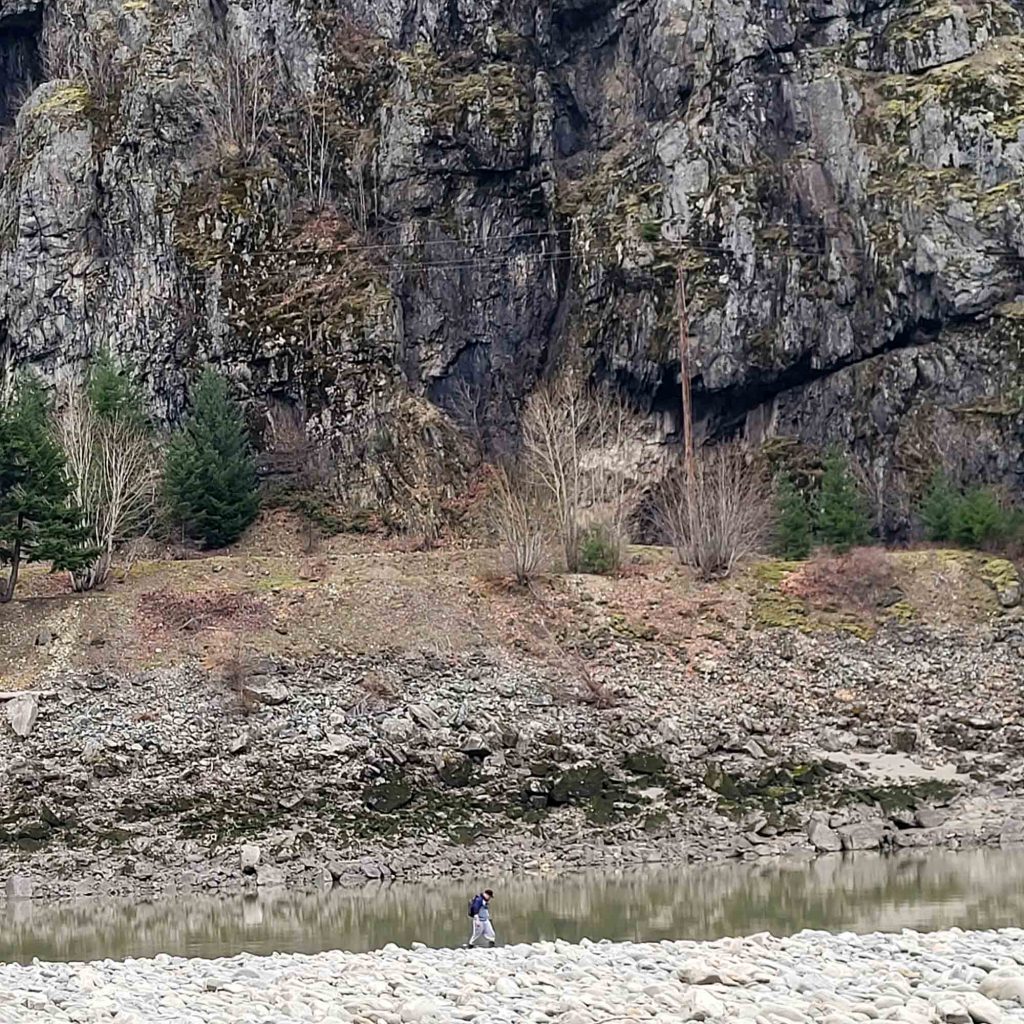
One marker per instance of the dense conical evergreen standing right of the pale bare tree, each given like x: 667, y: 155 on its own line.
x: 210, y: 478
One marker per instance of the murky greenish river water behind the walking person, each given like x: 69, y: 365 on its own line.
x: 864, y: 893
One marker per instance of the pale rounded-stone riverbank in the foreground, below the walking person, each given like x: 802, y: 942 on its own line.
x: 942, y: 978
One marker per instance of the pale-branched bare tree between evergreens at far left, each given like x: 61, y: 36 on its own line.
x: 115, y: 473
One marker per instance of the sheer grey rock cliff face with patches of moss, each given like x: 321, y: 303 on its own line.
x: 370, y: 211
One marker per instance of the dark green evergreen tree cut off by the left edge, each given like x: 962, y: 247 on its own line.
x: 39, y: 522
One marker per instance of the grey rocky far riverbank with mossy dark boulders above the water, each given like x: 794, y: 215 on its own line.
x: 338, y: 770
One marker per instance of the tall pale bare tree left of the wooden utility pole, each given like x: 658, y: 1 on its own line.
x: 579, y: 445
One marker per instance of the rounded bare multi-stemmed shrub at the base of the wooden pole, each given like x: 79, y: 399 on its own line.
x: 717, y: 514
